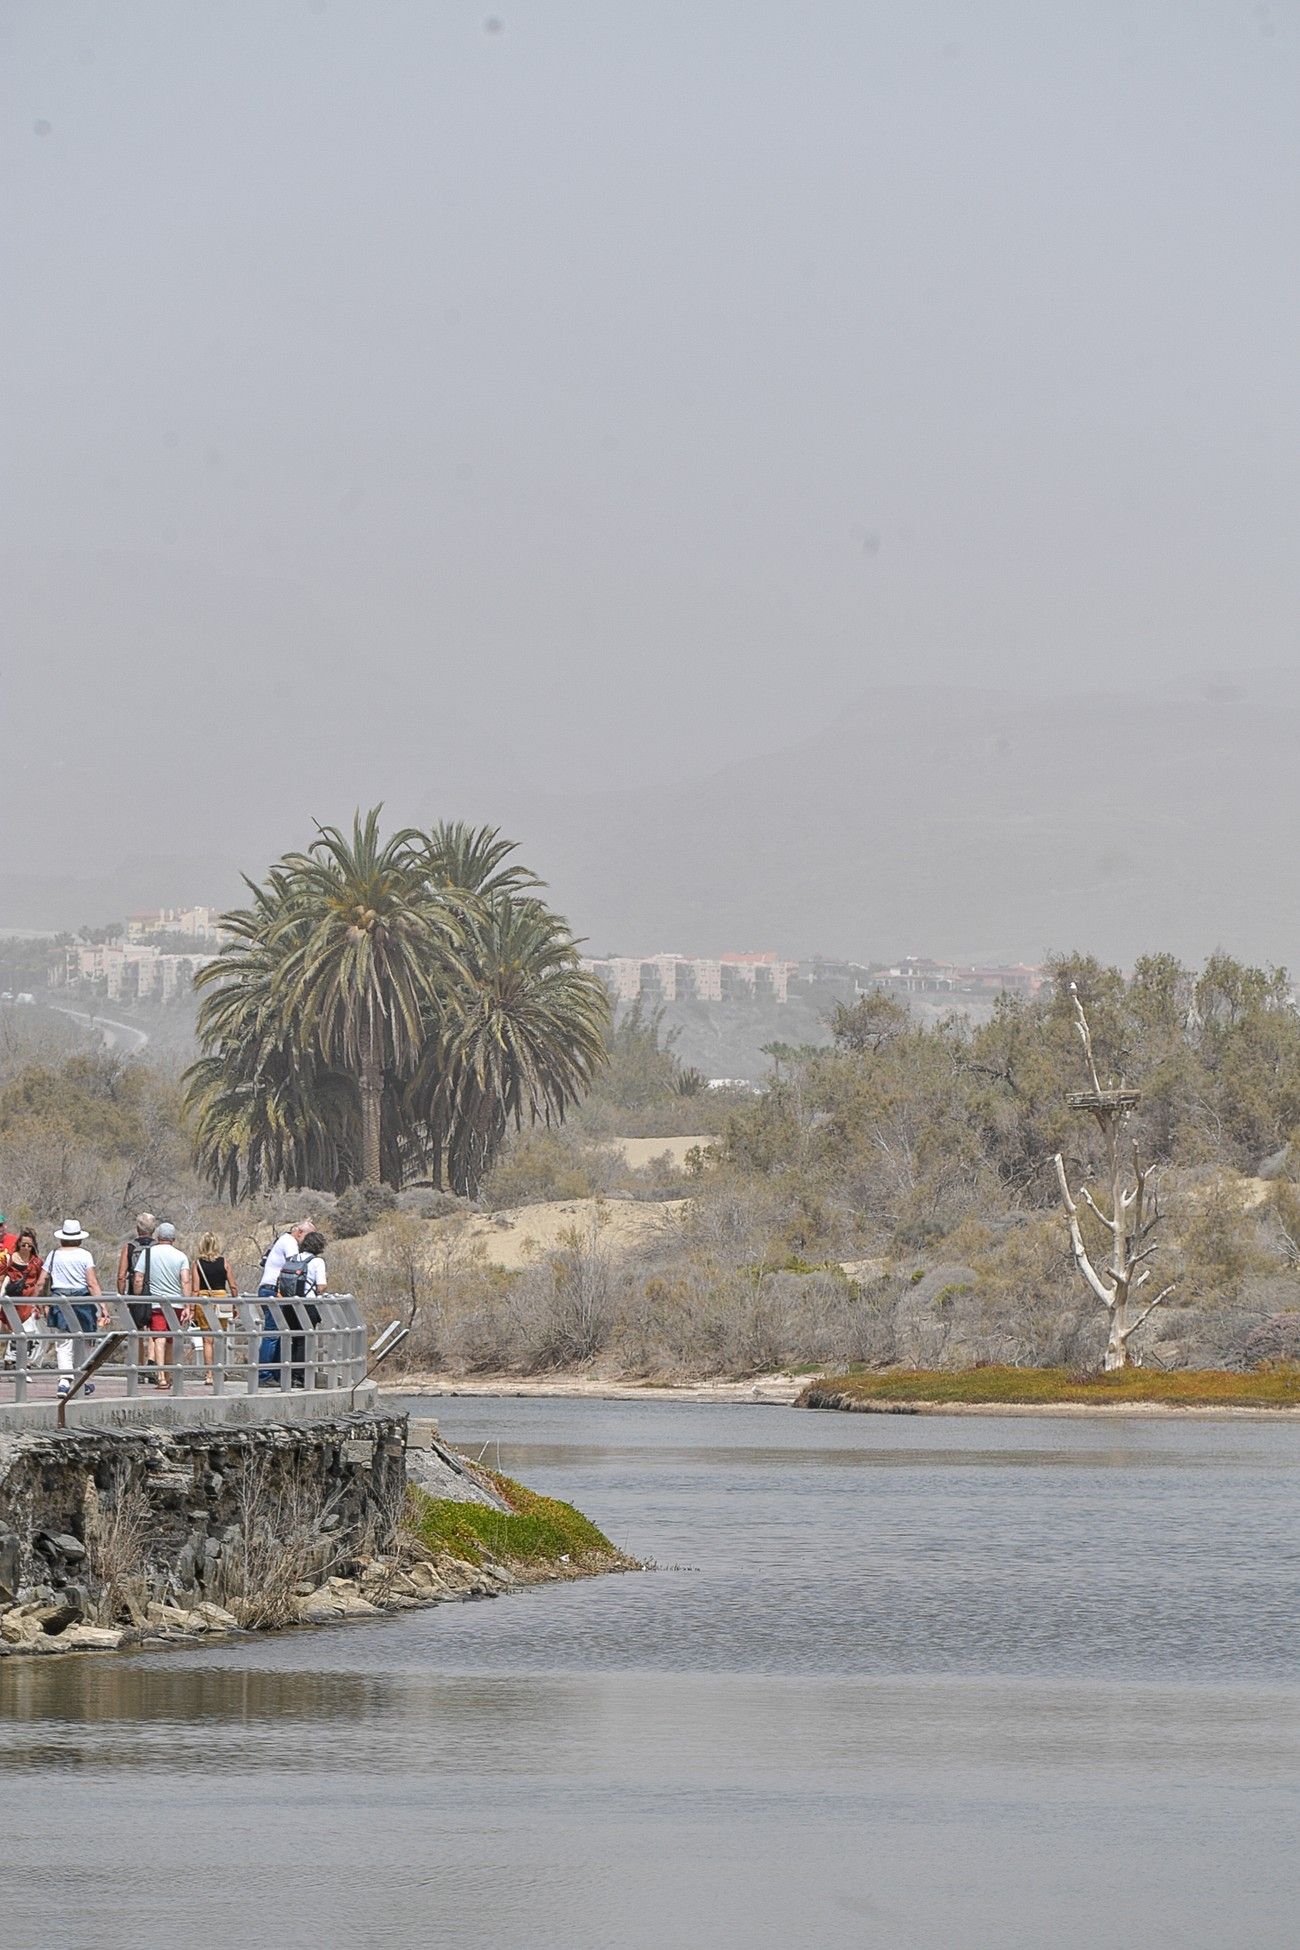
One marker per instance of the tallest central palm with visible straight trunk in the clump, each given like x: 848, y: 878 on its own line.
x: 371, y: 943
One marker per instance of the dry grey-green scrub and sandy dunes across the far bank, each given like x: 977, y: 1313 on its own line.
x: 890, y: 1200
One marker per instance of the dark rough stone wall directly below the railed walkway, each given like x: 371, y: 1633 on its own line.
x: 124, y: 1528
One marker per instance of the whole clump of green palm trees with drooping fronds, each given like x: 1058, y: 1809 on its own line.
x: 385, y: 1007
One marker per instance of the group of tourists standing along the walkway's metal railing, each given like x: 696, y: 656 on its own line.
x: 157, y: 1276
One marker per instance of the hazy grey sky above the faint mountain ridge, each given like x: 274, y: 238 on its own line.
x: 588, y: 393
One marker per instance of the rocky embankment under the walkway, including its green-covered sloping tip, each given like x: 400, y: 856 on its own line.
x: 141, y: 1538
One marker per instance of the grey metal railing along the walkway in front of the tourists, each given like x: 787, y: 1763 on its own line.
x: 247, y: 1346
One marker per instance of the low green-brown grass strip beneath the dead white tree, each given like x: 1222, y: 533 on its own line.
x: 1268, y: 1387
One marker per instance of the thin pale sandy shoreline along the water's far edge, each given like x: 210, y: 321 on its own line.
x: 783, y: 1391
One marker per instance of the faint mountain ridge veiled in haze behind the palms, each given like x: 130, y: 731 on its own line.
x: 952, y: 822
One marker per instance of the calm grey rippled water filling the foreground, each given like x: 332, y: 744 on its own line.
x: 899, y: 1682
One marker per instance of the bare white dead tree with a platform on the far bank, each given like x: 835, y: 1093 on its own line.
x: 1131, y: 1220
